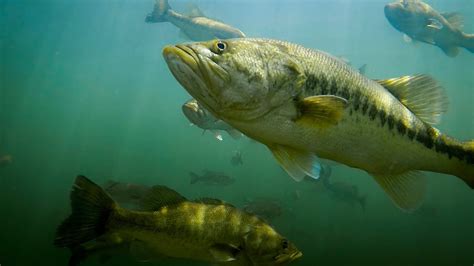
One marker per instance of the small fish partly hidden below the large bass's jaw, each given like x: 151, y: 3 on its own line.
x: 203, y: 119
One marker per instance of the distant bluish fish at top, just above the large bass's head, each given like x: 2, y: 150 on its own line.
x: 196, y: 27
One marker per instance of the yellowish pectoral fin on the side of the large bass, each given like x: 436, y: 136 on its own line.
x: 323, y: 110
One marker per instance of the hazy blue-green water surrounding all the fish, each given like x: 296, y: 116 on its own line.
x: 84, y: 90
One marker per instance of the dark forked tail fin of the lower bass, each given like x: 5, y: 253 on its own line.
x: 91, y: 208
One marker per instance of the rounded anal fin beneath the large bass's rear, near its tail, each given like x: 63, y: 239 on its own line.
x: 407, y: 190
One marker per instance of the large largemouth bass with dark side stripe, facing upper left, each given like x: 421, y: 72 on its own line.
x: 301, y: 103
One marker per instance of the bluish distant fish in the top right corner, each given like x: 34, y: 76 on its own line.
x: 421, y: 22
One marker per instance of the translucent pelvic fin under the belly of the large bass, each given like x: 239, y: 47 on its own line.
x: 296, y: 163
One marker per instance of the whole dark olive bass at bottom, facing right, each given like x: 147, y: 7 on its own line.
x: 206, y: 230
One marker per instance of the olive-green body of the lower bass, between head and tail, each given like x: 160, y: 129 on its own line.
x: 188, y: 230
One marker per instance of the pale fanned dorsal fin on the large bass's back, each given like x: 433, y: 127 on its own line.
x: 421, y: 94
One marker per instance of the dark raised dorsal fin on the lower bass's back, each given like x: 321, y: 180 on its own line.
x: 160, y: 196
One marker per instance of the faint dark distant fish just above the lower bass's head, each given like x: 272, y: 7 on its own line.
x: 265, y: 208
